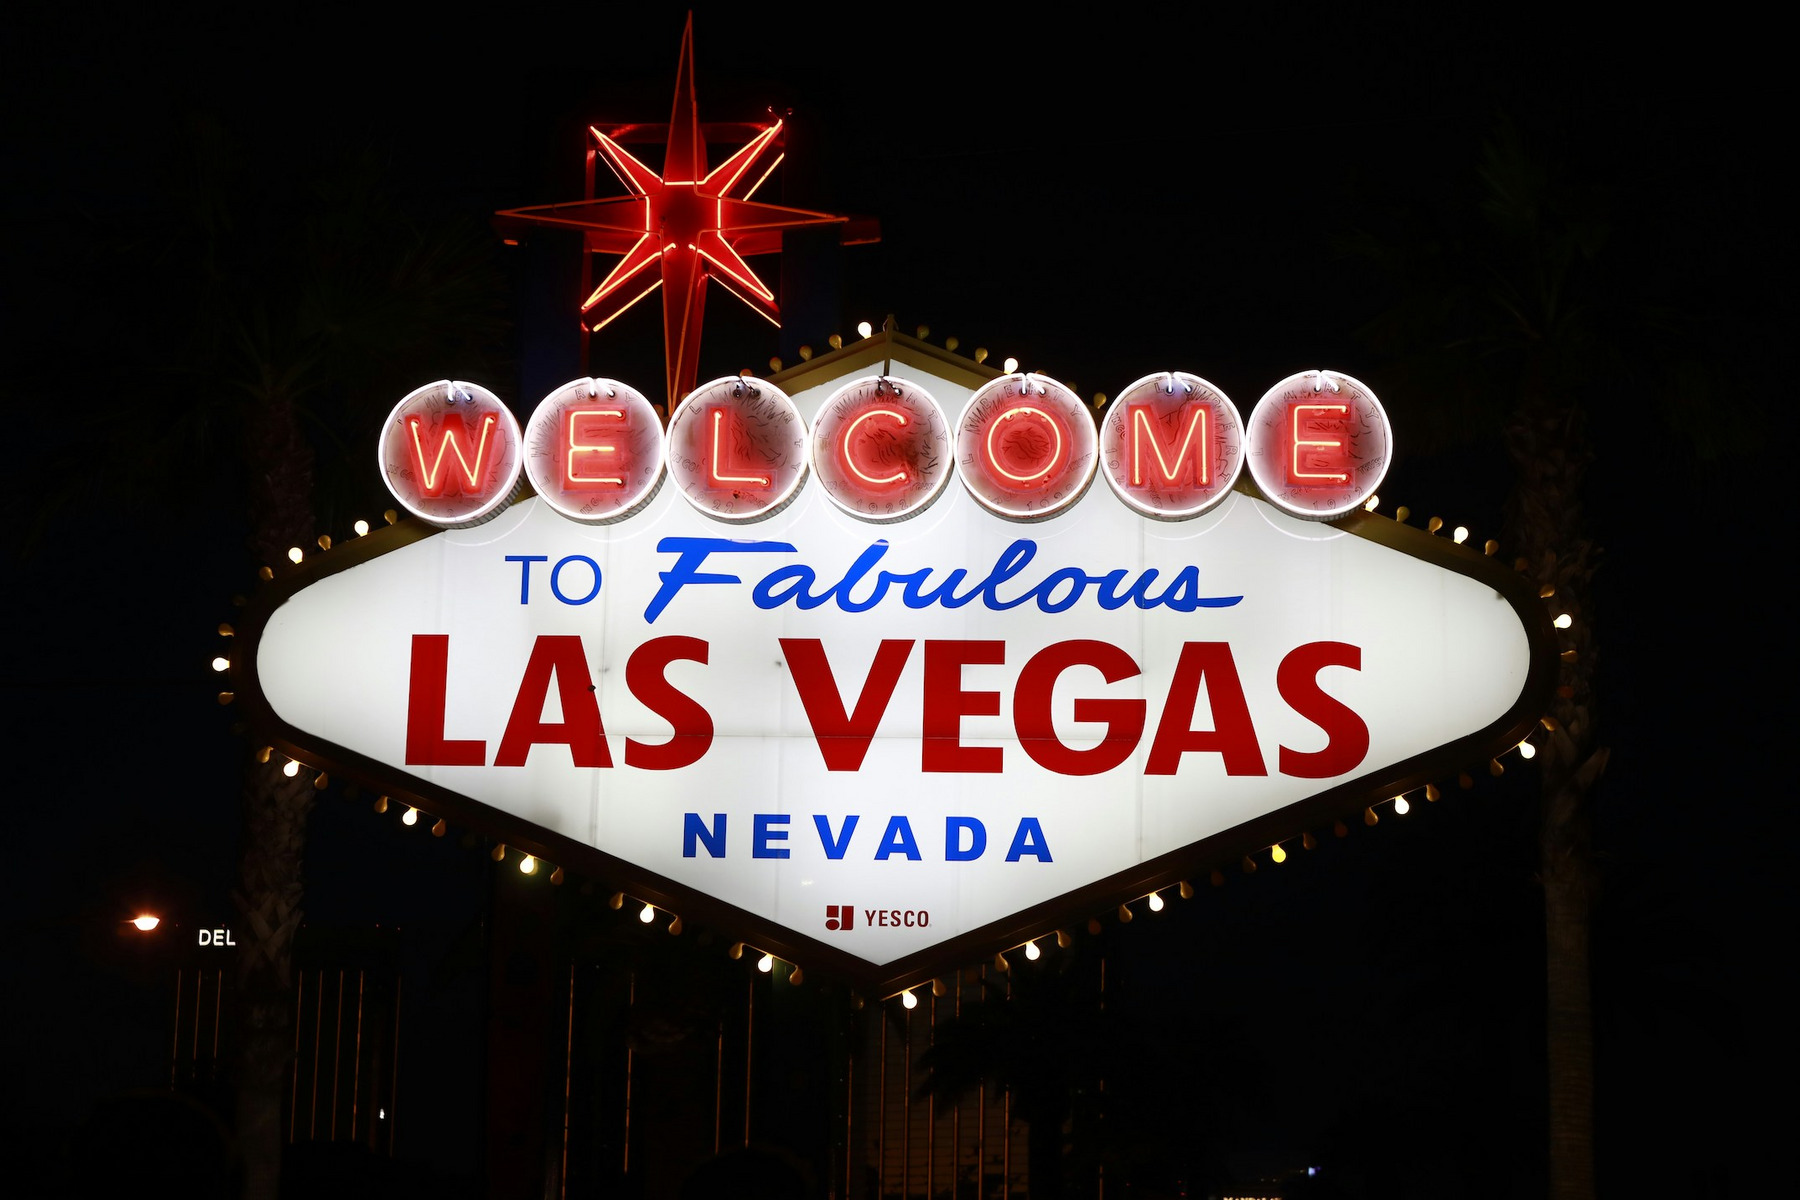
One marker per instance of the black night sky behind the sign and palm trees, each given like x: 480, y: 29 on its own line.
x: 1099, y: 201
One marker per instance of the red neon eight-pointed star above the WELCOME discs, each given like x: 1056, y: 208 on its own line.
x: 679, y: 229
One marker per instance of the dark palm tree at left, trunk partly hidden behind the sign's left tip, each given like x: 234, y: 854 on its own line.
x: 296, y: 307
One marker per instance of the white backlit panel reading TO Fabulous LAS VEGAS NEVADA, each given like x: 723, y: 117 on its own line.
x: 886, y: 737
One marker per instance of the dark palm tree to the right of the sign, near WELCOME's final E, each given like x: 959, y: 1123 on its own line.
x: 1518, y: 318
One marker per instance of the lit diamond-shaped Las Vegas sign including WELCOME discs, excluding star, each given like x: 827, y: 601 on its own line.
x: 867, y: 715
